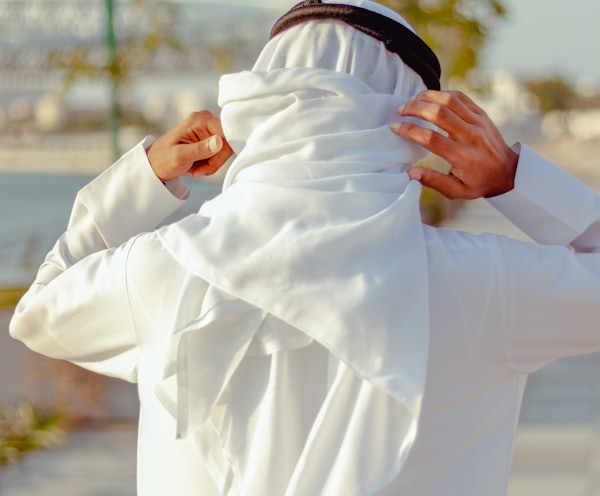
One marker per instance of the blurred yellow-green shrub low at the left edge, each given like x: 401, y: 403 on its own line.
x: 24, y: 429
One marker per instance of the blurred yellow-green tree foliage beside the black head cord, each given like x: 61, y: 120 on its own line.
x: 455, y: 29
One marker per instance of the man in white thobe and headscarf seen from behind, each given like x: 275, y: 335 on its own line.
x: 304, y: 333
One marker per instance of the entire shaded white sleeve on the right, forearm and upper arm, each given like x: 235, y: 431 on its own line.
x: 552, y: 292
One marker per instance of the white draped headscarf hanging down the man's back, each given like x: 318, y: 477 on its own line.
x: 314, y: 246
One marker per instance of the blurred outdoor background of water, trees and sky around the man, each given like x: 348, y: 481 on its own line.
x: 81, y: 81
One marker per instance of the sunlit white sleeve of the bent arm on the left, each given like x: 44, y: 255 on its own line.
x: 77, y: 307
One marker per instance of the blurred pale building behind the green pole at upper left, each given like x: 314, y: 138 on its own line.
x: 166, y: 85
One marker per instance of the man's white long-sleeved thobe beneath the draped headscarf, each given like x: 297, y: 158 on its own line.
x: 500, y: 309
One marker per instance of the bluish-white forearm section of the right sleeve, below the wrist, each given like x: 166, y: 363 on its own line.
x: 550, y: 205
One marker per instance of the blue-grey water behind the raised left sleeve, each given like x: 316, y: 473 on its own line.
x: 35, y: 209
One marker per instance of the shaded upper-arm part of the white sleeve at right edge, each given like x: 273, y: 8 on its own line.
x: 554, y: 303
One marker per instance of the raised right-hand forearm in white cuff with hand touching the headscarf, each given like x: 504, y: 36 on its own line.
x: 545, y: 202
